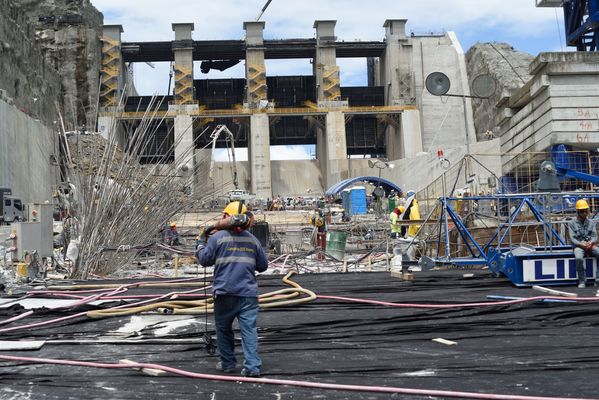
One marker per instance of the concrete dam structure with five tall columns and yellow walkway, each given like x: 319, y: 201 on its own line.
x: 346, y: 124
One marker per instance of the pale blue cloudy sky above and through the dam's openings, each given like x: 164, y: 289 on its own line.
x: 517, y: 22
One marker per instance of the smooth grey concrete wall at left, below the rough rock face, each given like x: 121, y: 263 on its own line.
x: 25, y: 149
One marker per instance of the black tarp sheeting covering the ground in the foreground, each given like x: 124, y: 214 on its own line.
x: 531, y: 349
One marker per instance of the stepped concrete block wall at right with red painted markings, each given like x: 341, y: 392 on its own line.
x: 559, y: 105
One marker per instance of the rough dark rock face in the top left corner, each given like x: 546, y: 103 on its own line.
x: 56, y: 53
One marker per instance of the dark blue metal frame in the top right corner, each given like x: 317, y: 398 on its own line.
x: 580, y: 32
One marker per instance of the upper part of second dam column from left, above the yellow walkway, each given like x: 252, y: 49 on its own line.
x: 183, y: 50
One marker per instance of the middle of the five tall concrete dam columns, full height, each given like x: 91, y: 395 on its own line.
x: 256, y: 98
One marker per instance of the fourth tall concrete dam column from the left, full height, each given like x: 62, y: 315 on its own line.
x: 331, y: 143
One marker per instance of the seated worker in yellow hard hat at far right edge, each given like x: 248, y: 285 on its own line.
x: 583, y: 235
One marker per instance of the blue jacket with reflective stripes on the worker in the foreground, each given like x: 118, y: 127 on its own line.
x: 236, y: 257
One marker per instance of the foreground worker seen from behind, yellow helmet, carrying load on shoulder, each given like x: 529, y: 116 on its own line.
x: 236, y: 255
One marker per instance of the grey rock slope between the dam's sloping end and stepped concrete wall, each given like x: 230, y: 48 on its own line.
x: 509, y: 68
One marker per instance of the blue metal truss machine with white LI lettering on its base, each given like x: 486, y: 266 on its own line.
x: 549, y: 261
